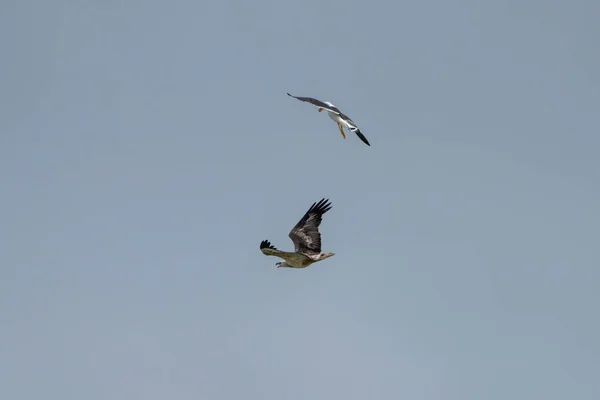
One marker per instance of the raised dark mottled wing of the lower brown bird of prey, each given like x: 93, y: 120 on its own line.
x: 305, y: 235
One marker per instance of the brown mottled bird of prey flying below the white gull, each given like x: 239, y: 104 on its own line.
x: 306, y: 238
